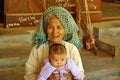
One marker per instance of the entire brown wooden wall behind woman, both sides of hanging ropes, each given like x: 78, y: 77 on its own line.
x: 27, y: 12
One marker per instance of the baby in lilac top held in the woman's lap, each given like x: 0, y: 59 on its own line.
x: 58, y: 63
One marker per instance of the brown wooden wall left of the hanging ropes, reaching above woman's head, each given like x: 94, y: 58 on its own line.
x: 19, y: 12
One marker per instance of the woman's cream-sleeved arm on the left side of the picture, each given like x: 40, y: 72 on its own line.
x: 31, y: 66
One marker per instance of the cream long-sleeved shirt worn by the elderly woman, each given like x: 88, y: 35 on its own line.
x: 37, y: 55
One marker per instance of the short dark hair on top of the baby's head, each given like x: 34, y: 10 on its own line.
x: 57, y: 48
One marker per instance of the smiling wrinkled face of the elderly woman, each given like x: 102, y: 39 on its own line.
x: 55, y: 30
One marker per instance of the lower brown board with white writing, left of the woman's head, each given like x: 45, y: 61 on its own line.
x: 21, y: 20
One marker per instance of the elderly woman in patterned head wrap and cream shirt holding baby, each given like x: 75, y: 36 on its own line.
x: 56, y: 26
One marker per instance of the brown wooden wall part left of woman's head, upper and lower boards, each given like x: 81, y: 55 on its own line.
x: 20, y: 12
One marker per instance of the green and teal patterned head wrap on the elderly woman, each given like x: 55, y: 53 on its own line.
x: 67, y: 21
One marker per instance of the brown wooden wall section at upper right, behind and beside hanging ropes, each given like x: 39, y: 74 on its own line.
x: 94, y: 7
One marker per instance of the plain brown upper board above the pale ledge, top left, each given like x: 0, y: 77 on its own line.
x: 23, y: 6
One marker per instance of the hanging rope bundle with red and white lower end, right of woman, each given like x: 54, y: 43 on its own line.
x: 84, y: 22
